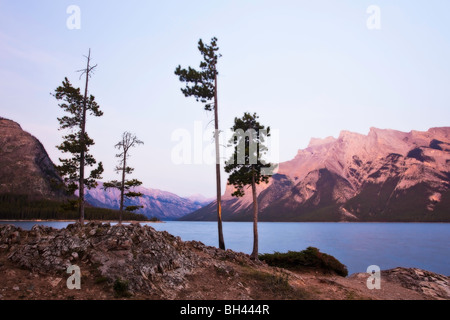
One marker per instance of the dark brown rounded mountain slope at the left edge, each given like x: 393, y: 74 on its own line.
x: 25, y: 167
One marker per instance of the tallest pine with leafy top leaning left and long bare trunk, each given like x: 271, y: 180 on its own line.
x: 203, y: 86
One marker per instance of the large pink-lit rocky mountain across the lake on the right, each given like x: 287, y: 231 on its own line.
x: 387, y: 175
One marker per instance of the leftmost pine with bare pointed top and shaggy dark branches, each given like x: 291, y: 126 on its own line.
x: 77, y: 141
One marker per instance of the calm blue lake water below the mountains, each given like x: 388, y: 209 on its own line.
x: 357, y: 245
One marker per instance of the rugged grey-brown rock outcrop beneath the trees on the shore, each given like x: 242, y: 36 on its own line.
x: 152, y: 262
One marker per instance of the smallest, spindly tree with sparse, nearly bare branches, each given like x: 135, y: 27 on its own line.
x: 128, y: 141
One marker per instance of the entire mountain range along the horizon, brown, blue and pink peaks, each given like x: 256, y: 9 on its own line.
x: 386, y: 175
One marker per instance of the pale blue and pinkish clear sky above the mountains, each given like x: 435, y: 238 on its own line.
x: 307, y: 68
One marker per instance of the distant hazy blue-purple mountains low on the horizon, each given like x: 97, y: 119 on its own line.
x: 160, y: 204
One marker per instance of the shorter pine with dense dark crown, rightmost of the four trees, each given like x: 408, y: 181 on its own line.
x: 246, y: 164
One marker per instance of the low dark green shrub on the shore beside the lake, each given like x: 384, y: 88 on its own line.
x: 311, y: 258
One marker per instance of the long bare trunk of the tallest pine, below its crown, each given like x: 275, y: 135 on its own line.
x: 218, y: 182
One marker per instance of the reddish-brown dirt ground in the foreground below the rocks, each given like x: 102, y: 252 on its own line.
x: 238, y: 282
